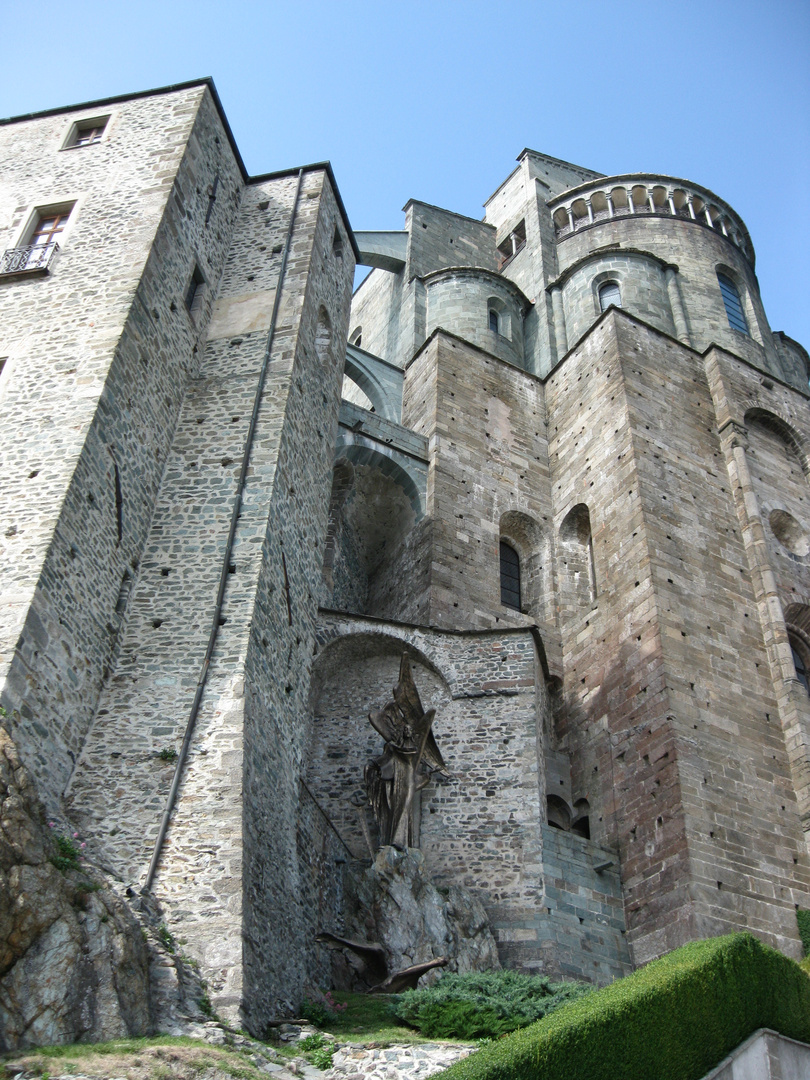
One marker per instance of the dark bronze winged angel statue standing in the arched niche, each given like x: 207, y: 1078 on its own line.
x: 411, y: 755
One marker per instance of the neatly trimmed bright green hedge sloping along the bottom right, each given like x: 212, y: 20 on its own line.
x: 674, y: 1020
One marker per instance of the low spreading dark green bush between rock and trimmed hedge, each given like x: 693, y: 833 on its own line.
x: 483, y: 1004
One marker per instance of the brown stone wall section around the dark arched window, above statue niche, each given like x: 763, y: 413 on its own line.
x: 485, y: 422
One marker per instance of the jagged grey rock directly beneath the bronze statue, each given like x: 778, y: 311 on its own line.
x: 395, y: 903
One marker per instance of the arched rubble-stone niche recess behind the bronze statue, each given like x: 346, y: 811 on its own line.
x: 354, y: 674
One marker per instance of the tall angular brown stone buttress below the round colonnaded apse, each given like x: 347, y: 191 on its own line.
x: 668, y: 741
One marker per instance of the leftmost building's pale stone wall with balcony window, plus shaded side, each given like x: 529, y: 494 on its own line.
x: 91, y: 398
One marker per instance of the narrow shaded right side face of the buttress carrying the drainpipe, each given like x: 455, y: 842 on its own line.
x: 306, y: 380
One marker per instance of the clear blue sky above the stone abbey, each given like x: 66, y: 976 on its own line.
x: 435, y: 99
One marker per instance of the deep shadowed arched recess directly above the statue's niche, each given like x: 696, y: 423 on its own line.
x: 374, y: 508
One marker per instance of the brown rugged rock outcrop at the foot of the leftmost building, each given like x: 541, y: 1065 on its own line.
x: 74, y: 963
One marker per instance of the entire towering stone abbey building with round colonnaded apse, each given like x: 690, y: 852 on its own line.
x: 558, y: 457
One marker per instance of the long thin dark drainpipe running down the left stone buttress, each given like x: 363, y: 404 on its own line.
x: 226, y: 561
